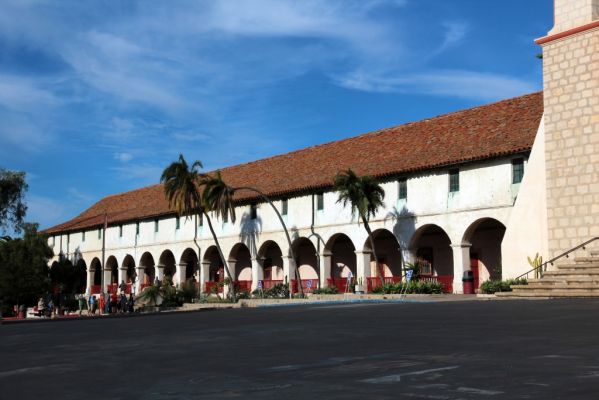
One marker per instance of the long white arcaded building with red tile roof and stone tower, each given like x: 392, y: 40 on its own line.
x: 478, y: 189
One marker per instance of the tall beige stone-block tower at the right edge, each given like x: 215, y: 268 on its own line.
x: 571, y: 100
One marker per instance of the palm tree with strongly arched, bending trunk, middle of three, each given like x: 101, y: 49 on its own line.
x: 219, y: 196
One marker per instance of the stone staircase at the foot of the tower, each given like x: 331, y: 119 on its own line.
x: 577, y: 279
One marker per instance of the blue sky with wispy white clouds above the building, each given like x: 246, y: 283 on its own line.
x: 98, y: 97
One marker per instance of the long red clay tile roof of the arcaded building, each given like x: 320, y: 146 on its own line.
x: 494, y: 130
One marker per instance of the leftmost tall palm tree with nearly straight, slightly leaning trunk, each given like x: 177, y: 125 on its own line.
x: 181, y: 189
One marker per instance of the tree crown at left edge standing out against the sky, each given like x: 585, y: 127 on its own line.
x: 12, y: 200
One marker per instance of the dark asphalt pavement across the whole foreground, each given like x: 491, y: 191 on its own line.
x: 454, y: 350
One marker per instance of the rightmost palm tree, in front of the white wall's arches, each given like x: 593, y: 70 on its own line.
x: 365, y: 196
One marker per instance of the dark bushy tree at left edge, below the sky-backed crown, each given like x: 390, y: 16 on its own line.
x: 24, y: 268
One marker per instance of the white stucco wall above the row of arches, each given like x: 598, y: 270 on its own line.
x: 485, y: 192
